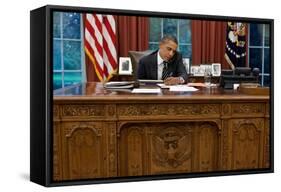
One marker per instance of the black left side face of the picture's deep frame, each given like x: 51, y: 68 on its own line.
x: 38, y: 96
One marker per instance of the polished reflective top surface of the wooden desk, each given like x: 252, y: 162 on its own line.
x: 96, y: 91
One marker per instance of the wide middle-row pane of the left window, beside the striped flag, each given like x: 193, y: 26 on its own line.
x: 72, y: 55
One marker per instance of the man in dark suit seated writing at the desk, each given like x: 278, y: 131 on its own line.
x: 164, y: 64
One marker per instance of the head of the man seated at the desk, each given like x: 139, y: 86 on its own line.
x: 167, y: 47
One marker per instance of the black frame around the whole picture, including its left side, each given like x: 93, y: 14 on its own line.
x: 41, y: 94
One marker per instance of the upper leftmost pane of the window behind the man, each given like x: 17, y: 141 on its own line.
x: 155, y: 29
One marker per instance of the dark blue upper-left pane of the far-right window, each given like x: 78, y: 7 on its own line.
x: 256, y: 34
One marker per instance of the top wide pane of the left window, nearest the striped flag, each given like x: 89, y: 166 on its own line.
x: 71, y: 25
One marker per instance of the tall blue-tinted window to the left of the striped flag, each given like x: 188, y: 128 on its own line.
x: 68, y: 64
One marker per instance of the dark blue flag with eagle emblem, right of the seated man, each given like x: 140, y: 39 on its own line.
x: 235, y: 48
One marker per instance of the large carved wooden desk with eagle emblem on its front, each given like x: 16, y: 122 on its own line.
x: 100, y: 133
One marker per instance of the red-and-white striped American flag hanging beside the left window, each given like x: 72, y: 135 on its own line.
x: 100, y: 41
